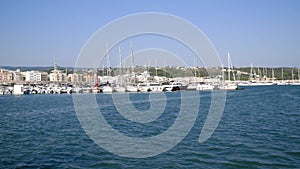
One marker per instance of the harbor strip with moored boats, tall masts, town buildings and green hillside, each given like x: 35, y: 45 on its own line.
x: 140, y: 79
